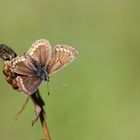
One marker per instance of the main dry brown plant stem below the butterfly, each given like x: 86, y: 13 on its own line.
x: 40, y: 113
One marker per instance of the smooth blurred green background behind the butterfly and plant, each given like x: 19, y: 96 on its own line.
x: 102, y: 99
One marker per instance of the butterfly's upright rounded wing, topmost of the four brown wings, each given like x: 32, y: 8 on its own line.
x: 40, y: 51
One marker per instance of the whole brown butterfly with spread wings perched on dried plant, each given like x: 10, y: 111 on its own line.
x: 39, y: 63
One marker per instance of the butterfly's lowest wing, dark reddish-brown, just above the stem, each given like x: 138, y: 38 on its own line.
x: 28, y: 85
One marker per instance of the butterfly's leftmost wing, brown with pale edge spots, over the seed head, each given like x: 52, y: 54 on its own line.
x: 22, y: 65
